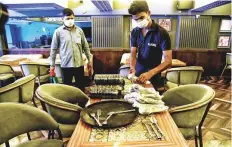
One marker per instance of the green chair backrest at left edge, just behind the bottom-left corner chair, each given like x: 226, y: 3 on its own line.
x: 22, y: 90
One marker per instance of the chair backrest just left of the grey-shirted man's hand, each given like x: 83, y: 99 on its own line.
x: 38, y: 69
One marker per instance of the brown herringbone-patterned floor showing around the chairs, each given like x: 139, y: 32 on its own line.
x: 216, y: 128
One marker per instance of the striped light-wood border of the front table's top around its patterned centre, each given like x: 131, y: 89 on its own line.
x: 173, y: 137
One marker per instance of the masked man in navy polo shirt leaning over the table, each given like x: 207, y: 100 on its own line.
x: 149, y: 42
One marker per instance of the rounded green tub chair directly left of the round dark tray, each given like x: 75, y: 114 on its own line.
x: 63, y: 103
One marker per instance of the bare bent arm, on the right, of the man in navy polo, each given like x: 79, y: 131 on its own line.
x: 167, y: 63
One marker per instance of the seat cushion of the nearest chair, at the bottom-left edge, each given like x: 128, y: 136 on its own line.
x: 42, y: 143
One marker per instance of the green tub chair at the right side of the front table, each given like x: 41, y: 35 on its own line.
x: 189, y: 105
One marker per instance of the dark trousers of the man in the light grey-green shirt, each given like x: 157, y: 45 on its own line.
x: 77, y: 73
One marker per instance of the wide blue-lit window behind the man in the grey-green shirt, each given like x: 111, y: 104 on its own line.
x: 26, y: 33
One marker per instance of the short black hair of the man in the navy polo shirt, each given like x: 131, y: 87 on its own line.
x: 138, y: 7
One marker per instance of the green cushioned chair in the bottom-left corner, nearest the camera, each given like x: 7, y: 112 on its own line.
x: 17, y: 119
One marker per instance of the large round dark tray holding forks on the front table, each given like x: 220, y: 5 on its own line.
x: 116, y: 120
